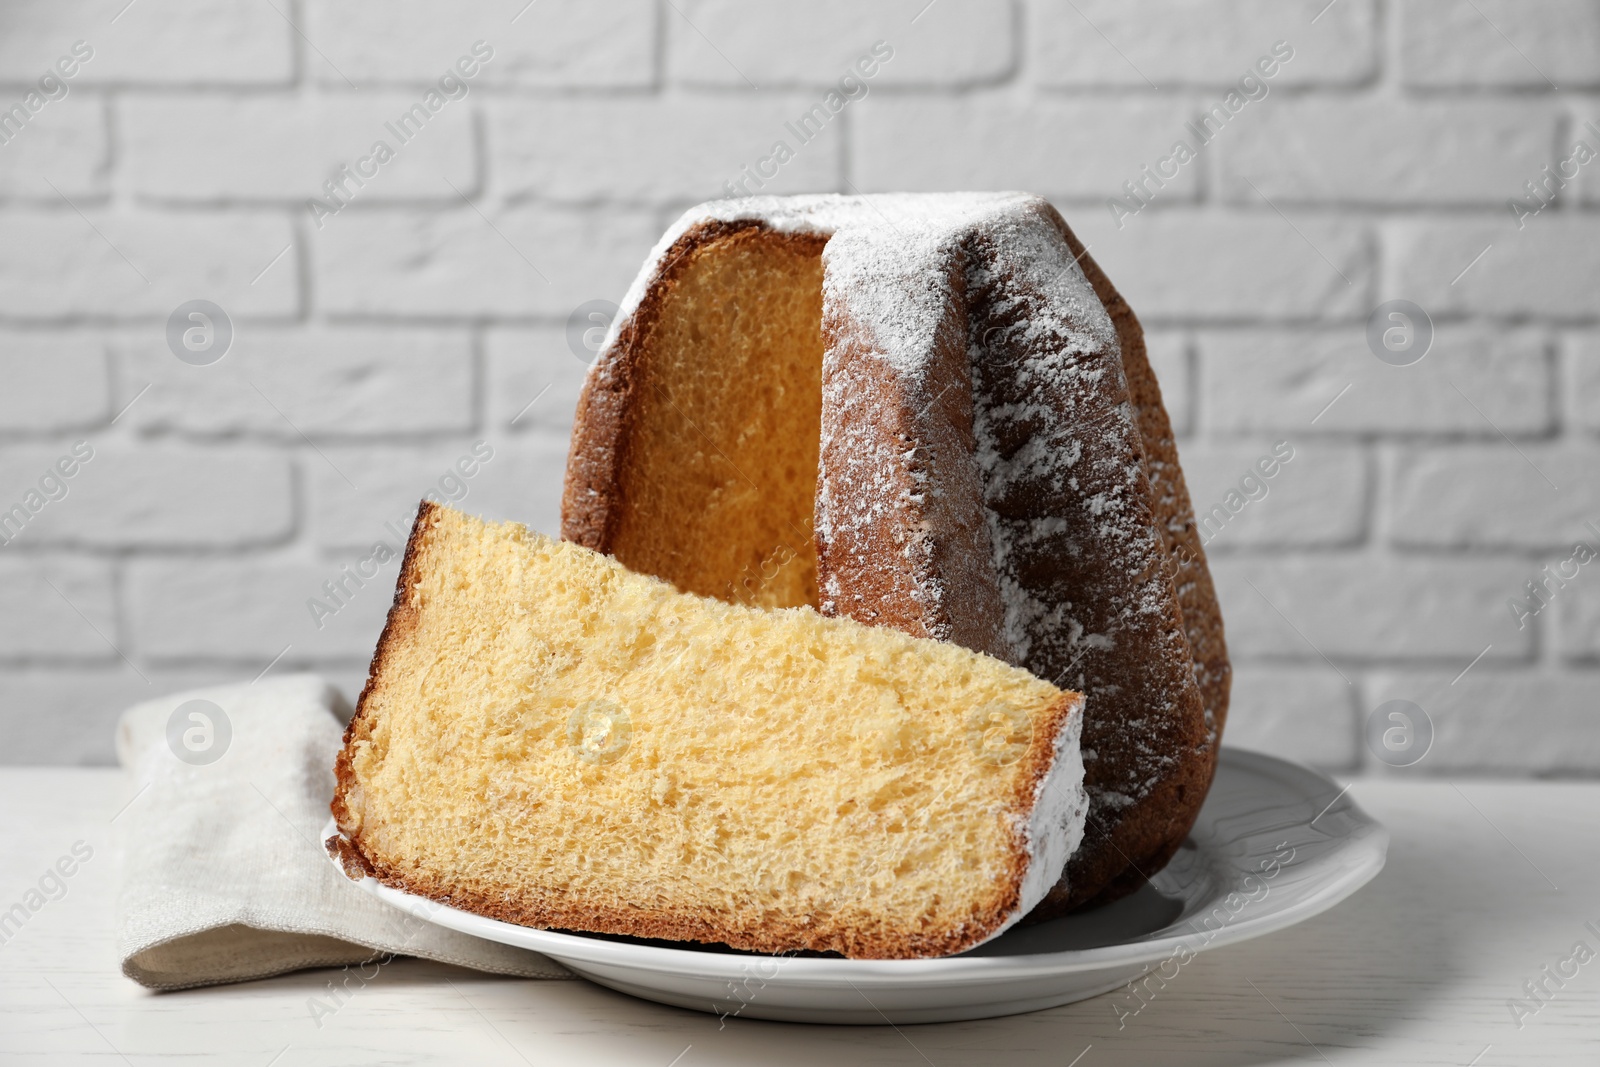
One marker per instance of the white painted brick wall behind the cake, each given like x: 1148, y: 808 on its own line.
x: 372, y: 351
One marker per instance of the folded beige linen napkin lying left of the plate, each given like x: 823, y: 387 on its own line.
x: 225, y: 877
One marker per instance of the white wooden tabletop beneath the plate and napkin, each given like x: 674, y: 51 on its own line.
x: 1487, y: 885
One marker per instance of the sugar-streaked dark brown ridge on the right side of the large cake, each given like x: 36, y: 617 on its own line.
x: 1065, y: 486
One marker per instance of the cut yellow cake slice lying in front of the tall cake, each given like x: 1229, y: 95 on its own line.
x: 553, y: 740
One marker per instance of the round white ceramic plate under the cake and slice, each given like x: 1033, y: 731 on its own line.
x: 1274, y: 845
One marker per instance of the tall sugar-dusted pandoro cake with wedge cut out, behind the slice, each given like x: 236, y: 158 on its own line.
x: 930, y: 414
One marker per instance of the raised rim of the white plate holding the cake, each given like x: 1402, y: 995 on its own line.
x: 1367, y: 844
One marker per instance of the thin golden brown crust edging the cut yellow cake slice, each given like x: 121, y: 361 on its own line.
x: 775, y: 933
